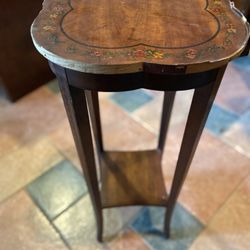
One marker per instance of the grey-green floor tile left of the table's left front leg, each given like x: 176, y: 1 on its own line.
x: 57, y: 189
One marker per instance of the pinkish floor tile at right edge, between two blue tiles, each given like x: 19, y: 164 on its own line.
x: 234, y: 93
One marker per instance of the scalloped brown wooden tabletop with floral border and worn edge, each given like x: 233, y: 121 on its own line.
x: 128, y: 36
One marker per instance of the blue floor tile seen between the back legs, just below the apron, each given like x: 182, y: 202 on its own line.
x: 131, y: 100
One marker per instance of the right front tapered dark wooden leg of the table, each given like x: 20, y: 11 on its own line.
x: 201, y: 104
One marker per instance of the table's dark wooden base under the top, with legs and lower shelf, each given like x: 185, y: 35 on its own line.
x: 132, y: 178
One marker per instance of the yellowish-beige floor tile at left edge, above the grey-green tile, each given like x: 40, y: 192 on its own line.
x: 24, y: 164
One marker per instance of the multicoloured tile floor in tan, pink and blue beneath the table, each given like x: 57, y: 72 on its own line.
x: 44, y: 202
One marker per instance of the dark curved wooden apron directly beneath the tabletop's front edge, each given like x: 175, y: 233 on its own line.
x: 123, y: 82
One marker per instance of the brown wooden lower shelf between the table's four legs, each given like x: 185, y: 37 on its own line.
x: 132, y: 178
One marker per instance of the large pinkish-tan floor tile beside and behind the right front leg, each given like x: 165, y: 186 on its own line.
x: 215, y: 172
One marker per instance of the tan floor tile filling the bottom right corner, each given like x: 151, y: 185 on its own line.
x: 230, y: 227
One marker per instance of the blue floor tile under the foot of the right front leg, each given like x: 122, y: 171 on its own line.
x: 184, y: 228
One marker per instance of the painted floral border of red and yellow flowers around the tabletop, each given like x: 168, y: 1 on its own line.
x: 215, y: 7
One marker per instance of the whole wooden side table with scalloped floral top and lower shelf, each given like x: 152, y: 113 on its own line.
x: 119, y: 45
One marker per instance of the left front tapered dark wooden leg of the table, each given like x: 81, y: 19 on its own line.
x: 77, y: 111
